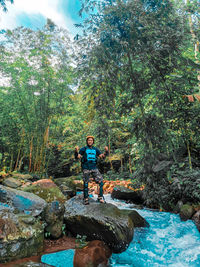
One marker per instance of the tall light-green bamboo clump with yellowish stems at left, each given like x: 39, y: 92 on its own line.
x: 36, y: 64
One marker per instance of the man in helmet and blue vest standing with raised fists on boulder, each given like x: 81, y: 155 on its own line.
x: 88, y: 156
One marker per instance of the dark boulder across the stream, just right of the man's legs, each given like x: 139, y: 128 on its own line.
x: 124, y: 193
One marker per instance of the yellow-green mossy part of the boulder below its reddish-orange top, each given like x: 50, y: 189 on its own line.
x: 49, y: 194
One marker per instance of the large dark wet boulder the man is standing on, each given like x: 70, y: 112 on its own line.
x: 99, y: 221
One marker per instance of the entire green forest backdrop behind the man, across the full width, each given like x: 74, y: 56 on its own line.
x: 131, y: 79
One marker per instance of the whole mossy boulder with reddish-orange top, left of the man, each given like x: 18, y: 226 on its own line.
x: 47, y: 190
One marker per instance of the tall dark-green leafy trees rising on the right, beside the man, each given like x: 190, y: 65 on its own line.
x: 136, y: 64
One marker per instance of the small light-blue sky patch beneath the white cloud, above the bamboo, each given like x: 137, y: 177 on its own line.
x: 34, y: 22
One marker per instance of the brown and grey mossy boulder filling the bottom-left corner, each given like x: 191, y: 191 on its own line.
x: 21, y: 235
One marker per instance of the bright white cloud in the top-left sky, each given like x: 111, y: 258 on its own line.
x: 32, y: 8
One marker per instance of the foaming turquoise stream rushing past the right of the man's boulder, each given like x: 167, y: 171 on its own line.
x: 167, y: 242
